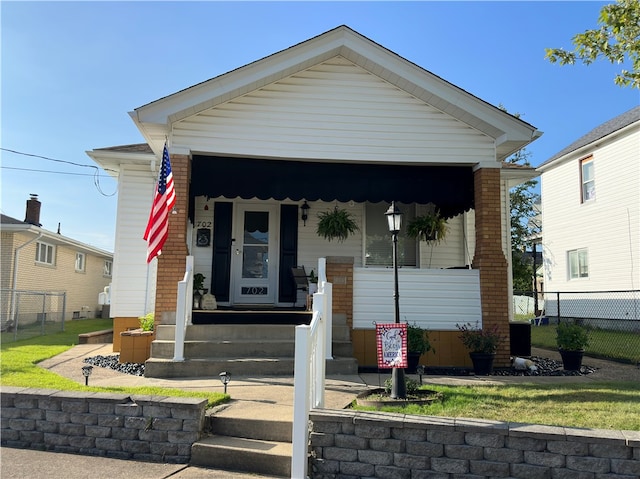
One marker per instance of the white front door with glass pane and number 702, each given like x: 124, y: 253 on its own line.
x: 255, y: 261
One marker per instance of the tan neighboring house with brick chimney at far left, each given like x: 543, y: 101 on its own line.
x: 37, y: 261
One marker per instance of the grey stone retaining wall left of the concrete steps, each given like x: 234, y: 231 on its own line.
x: 148, y: 428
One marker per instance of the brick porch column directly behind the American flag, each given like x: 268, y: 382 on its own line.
x: 171, y: 263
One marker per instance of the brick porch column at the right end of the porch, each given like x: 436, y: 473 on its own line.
x: 490, y: 258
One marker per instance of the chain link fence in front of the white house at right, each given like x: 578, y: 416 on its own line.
x: 613, y: 318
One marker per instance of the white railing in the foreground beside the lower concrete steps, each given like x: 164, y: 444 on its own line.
x: 311, y: 352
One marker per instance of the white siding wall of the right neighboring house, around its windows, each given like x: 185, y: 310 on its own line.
x: 608, y: 227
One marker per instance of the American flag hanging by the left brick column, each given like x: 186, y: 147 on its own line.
x: 163, y: 202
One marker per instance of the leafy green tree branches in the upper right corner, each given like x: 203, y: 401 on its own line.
x: 617, y: 39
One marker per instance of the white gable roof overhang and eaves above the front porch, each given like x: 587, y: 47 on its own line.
x: 510, y: 133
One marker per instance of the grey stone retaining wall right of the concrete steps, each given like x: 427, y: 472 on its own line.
x: 349, y: 444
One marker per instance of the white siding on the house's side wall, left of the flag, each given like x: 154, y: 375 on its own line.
x: 133, y: 286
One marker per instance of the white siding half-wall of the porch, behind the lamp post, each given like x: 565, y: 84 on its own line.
x: 433, y: 299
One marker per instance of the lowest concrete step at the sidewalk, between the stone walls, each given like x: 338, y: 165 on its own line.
x: 243, y: 454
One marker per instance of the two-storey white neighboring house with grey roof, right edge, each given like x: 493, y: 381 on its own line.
x: 591, y: 220
